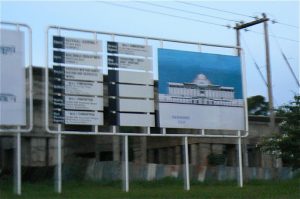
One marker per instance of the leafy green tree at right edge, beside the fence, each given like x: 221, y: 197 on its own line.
x: 286, y: 144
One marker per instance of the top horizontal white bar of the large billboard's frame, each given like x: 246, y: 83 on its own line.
x: 143, y: 37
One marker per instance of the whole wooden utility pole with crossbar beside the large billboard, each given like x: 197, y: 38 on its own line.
x: 263, y: 20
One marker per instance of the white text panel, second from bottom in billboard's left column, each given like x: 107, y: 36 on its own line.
x: 83, y: 103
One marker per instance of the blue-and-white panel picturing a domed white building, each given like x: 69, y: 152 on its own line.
x: 200, y: 90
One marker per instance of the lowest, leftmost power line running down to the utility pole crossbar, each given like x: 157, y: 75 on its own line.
x: 165, y: 14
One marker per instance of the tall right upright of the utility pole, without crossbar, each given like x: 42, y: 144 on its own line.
x: 269, y: 75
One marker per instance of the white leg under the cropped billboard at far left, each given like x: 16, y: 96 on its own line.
x: 18, y: 165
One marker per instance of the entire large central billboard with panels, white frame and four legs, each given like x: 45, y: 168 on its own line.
x: 190, y: 95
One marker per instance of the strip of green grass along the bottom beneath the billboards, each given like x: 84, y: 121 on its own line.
x: 166, y: 188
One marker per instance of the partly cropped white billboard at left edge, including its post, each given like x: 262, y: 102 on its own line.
x: 13, y: 94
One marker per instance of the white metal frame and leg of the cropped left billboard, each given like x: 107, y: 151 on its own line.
x: 18, y: 130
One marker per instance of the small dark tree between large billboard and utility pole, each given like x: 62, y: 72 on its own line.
x: 257, y: 105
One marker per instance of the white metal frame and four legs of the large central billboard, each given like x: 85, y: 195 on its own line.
x: 238, y: 135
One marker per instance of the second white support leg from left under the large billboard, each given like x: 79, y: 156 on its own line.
x: 125, y: 165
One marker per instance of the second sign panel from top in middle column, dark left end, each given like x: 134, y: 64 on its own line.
x: 129, y: 63
